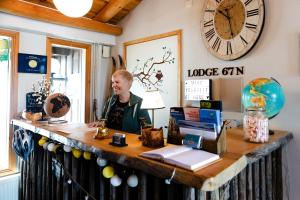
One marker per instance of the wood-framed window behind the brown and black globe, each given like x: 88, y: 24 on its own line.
x: 69, y: 70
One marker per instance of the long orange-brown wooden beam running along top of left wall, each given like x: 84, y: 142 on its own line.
x: 33, y: 11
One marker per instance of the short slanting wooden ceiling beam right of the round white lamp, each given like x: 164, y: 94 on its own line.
x: 111, y: 9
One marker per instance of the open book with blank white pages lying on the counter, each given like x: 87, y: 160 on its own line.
x: 182, y: 156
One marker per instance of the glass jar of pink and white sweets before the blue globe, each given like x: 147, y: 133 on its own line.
x: 256, y: 125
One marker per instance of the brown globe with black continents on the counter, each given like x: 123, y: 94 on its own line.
x: 57, y: 105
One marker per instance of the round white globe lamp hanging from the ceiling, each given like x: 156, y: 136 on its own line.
x: 73, y: 8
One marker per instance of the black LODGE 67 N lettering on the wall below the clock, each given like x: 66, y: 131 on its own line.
x: 214, y: 71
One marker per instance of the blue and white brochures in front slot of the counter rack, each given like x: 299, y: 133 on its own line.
x: 206, y: 130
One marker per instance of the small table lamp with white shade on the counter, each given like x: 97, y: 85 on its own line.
x: 152, y: 100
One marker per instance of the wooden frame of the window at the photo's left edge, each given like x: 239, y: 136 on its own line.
x: 12, y: 165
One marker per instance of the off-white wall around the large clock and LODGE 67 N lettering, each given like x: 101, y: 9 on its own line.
x: 275, y: 55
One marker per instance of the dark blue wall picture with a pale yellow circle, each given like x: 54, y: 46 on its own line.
x: 30, y: 63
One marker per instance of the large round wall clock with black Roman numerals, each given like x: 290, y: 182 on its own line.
x: 230, y: 28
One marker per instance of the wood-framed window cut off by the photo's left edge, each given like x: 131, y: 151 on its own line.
x: 8, y: 76
